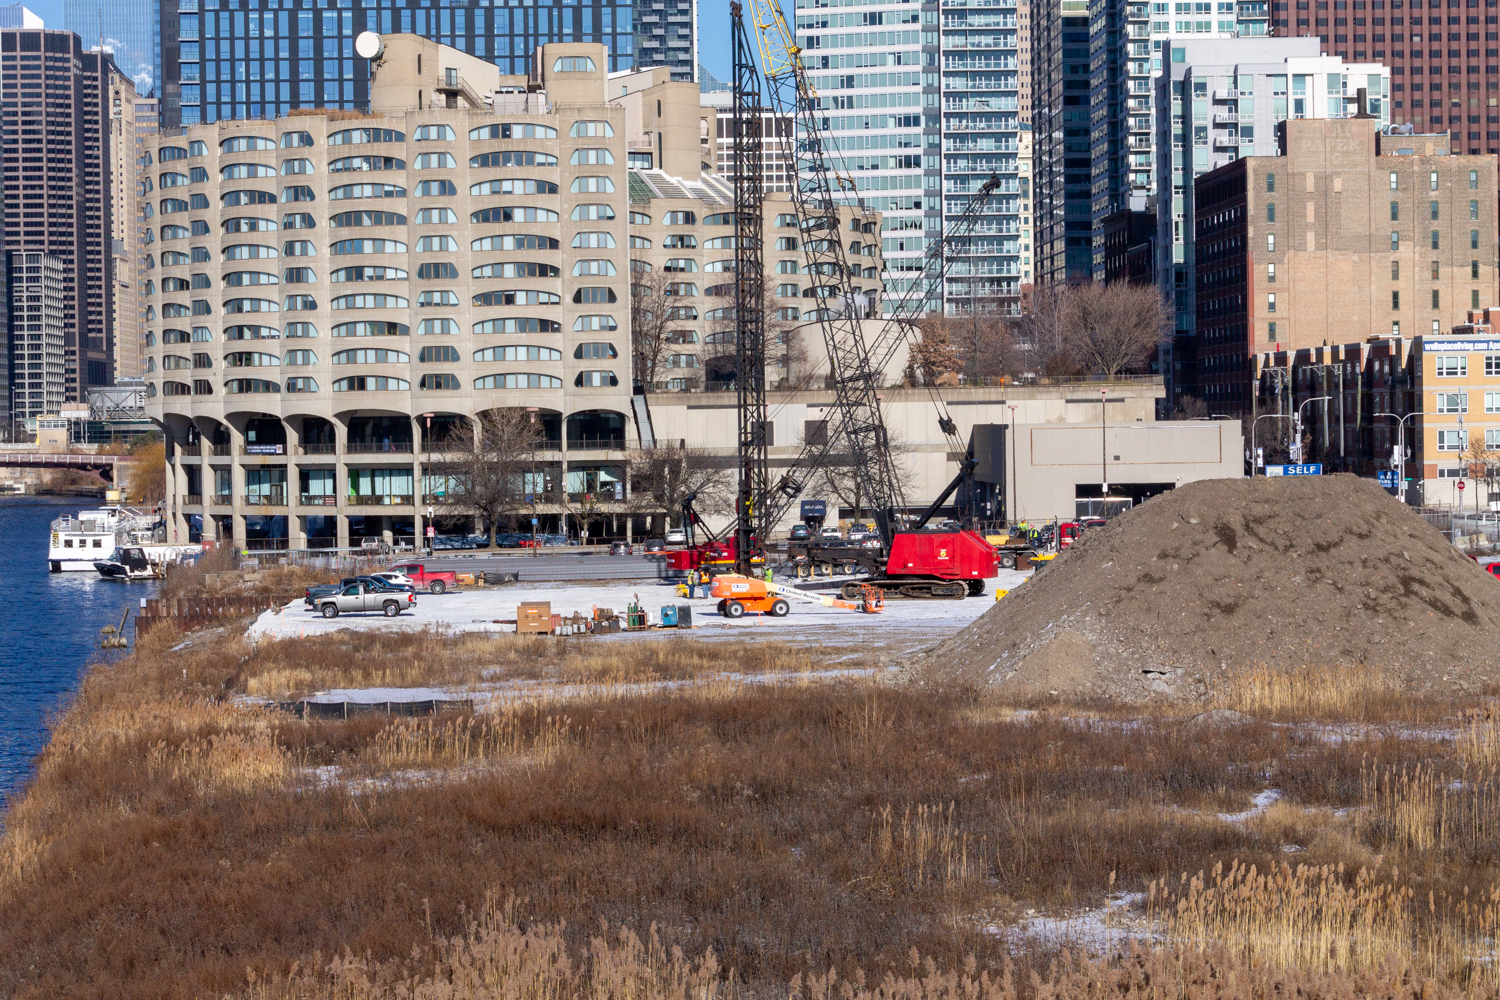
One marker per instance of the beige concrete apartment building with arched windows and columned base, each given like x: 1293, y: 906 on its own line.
x: 328, y: 295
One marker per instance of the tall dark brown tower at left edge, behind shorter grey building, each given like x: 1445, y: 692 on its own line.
x: 59, y: 200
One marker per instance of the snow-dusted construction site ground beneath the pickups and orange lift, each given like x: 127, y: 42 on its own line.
x: 902, y: 629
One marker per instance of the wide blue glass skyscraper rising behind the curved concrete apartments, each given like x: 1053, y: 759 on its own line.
x: 247, y: 59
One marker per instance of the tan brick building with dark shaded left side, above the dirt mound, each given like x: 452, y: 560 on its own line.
x: 1349, y: 235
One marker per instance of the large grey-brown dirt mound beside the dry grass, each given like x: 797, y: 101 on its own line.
x: 1228, y: 575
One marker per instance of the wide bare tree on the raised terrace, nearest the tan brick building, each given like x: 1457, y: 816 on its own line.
x: 1114, y: 329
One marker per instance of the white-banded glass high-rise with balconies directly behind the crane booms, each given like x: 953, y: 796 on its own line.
x: 925, y: 106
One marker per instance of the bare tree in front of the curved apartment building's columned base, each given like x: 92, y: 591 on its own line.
x: 488, y: 466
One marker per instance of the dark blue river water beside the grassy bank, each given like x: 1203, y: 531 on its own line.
x: 52, y: 629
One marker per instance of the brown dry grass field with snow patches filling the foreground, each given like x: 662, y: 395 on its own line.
x: 788, y: 837
